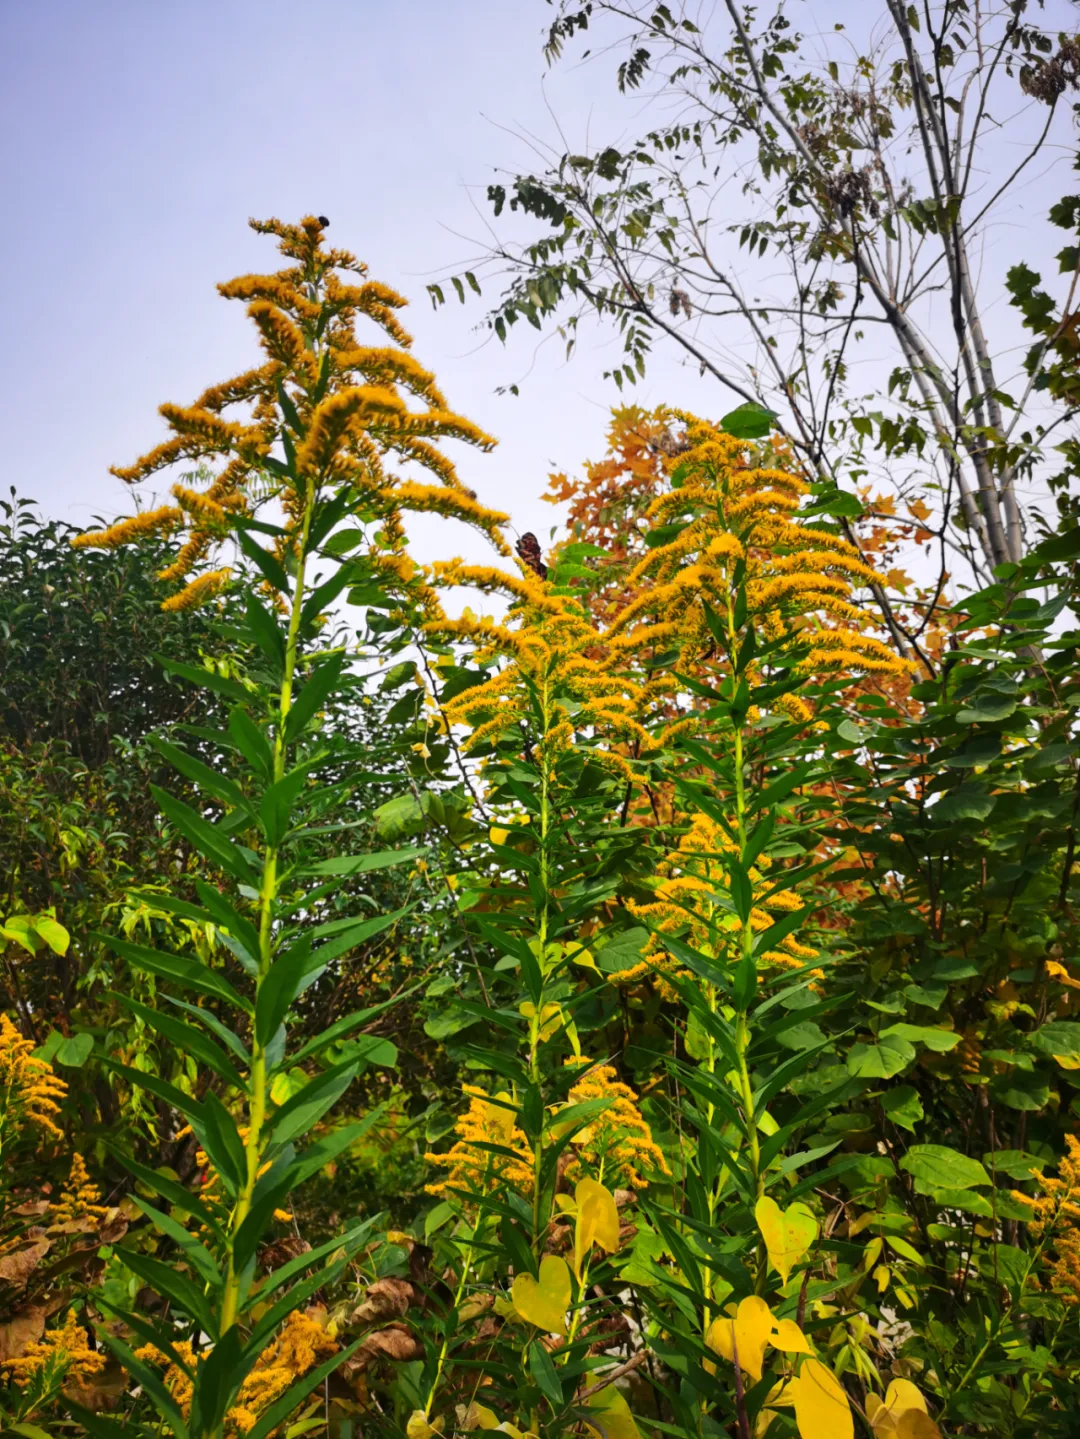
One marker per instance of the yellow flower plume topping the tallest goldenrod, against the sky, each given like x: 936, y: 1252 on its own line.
x: 334, y: 408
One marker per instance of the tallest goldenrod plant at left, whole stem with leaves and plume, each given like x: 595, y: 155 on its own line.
x: 301, y: 480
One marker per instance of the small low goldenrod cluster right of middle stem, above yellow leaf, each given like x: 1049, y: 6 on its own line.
x: 618, y: 1148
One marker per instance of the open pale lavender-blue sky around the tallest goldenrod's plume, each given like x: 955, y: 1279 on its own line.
x: 140, y: 136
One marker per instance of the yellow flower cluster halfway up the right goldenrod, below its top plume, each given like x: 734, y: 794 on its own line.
x: 698, y: 871
